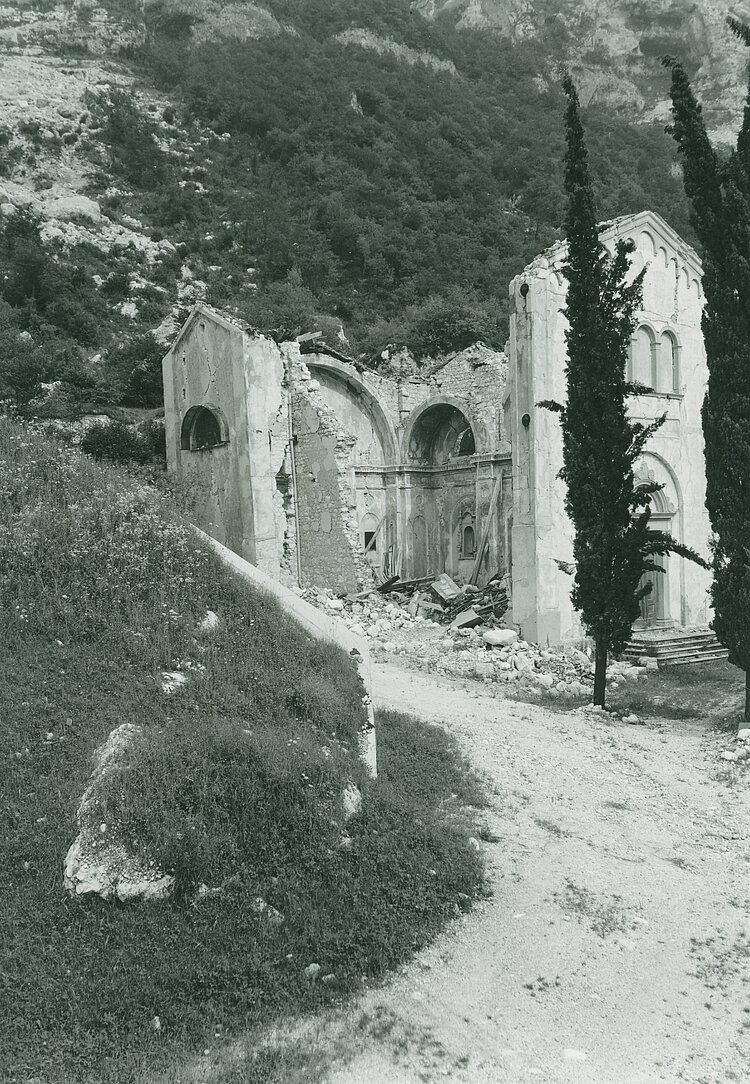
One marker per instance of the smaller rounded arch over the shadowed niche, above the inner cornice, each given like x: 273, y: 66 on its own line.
x: 438, y: 432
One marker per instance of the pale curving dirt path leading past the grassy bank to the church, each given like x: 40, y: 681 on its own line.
x: 616, y: 948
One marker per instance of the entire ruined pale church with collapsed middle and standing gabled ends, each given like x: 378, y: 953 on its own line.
x: 325, y: 474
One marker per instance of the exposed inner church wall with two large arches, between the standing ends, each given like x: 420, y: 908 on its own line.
x: 408, y: 482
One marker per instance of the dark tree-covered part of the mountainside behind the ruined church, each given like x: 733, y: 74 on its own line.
x: 364, y: 170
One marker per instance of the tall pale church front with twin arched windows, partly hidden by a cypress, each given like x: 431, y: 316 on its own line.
x: 542, y: 534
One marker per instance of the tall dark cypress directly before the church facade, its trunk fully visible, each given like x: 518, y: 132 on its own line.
x: 613, y: 546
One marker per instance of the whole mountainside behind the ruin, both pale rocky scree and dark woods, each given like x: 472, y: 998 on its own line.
x: 377, y: 171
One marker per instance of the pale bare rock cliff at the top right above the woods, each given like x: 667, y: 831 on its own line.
x: 614, y: 46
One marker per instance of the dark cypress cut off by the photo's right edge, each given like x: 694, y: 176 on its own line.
x: 719, y: 190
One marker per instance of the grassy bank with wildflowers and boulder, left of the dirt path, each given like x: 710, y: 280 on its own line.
x: 100, y: 589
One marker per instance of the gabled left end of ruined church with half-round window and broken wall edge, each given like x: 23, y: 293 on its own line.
x: 263, y: 460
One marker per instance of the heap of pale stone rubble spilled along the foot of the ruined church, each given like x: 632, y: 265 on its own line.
x: 492, y: 655
